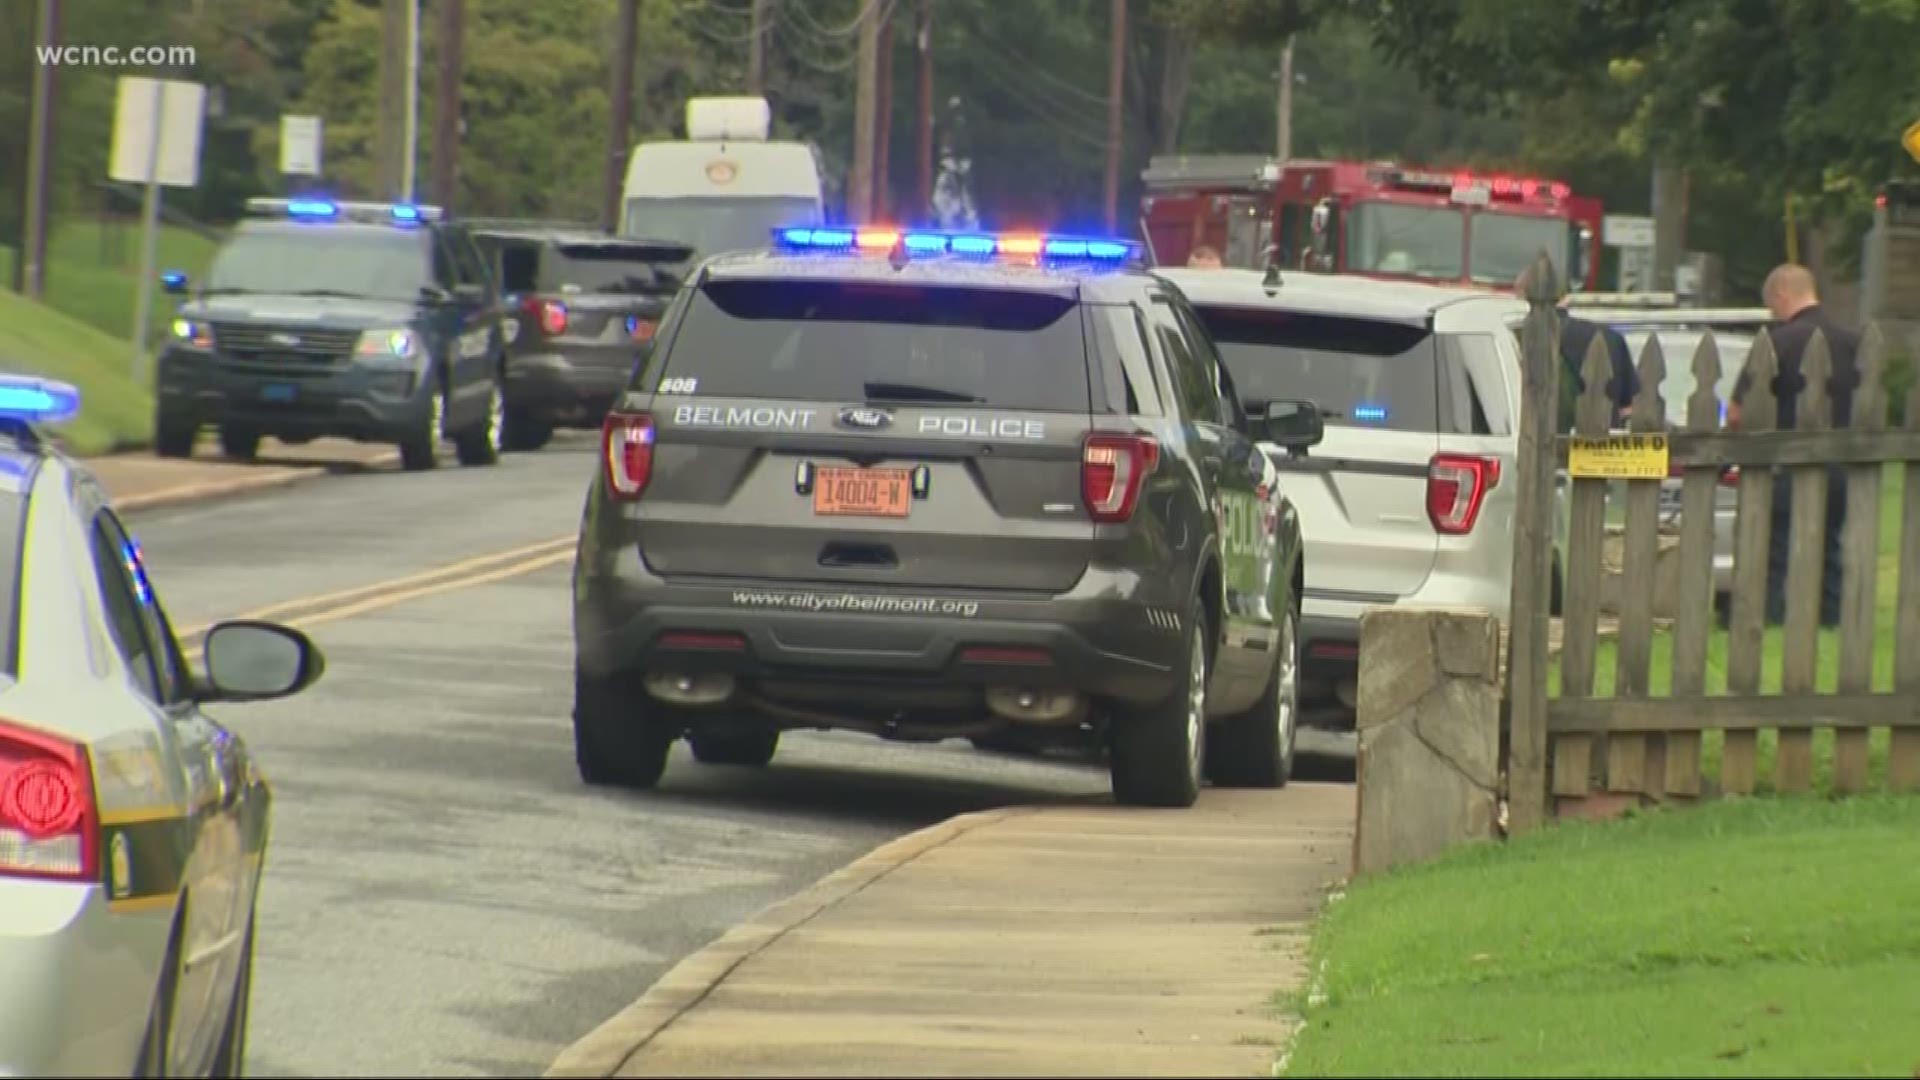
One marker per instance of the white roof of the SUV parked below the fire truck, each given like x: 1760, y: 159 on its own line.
x: 1328, y: 295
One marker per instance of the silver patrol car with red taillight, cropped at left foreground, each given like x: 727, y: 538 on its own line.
x: 132, y: 823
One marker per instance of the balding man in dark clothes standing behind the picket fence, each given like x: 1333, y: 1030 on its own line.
x: 1796, y: 307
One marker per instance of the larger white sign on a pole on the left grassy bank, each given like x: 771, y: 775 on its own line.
x: 156, y: 143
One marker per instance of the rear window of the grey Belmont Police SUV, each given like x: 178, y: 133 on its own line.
x: 834, y: 341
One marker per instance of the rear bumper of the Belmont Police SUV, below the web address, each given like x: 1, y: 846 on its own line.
x: 1111, y: 637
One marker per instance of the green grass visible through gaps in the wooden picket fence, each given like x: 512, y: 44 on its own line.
x: 1827, y: 672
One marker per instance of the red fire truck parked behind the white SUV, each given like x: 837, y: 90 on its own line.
x: 1378, y: 220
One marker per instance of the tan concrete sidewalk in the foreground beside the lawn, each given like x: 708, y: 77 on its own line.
x: 1084, y: 941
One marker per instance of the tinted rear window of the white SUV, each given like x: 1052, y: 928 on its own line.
x: 1360, y: 372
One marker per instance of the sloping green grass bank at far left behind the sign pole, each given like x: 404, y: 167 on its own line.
x: 84, y: 333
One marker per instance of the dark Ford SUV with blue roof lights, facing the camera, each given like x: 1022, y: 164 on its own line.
x: 366, y: 322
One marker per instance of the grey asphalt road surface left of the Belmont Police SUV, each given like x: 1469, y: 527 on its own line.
x: 443, y: 895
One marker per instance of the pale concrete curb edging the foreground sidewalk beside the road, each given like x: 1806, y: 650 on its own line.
x: 608, y: 1048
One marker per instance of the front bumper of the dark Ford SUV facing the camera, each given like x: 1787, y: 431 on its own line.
x: 352, y: 401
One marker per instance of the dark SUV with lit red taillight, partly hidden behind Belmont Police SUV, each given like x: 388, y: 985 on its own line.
x: 581, y: 303
